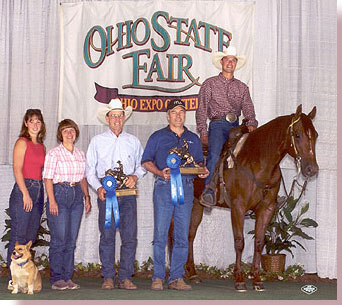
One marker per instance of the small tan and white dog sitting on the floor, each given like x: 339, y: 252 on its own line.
x: 25, y: 275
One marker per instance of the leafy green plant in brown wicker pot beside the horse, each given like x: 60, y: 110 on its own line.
x: 281, y: 233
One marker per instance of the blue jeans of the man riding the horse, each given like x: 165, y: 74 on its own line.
x: 218, y: 135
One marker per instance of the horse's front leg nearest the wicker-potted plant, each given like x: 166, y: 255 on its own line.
x: 263, y: 217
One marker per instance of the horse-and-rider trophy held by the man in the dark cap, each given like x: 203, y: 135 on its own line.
x: 183, y: 153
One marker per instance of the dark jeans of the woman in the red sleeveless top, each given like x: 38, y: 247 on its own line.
x: 25, y: 225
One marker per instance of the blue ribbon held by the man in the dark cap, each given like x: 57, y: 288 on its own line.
x: 177, y: 194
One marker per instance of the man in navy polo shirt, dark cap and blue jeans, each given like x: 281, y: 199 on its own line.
x: 154, y: 160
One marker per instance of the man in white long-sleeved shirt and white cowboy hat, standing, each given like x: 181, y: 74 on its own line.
x: 104, y: 152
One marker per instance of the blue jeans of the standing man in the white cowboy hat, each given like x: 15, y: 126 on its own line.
x: 128, y: 234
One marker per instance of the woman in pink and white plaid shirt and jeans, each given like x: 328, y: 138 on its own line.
x: 66, y: 185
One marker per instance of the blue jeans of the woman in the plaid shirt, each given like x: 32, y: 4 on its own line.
x: 64, y: 229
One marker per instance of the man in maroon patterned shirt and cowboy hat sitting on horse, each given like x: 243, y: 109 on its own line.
x: 222, y: 98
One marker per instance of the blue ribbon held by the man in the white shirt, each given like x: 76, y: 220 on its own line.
x: 109, y: 184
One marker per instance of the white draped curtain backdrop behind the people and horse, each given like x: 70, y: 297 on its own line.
x: 294, y: 63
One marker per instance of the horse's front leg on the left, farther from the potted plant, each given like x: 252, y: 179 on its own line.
x: 237, y: 214
